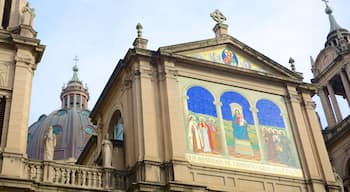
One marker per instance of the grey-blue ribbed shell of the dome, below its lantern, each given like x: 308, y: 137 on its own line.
x: 72, y: 129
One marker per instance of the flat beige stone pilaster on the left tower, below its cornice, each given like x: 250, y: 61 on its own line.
x: 16, y: 142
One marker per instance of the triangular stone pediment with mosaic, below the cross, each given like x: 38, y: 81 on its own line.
x: 229, y: 51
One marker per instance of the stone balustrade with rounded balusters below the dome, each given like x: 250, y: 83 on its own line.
x: 69, y: 175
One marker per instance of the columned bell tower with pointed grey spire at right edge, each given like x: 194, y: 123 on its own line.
x: 332, y: 70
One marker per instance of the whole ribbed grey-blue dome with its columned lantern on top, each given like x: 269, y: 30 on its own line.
x: 71, y: 124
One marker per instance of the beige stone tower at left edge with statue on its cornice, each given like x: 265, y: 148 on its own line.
x: 20, y: 52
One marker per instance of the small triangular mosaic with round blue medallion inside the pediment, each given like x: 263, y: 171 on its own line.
x: 226, y: 55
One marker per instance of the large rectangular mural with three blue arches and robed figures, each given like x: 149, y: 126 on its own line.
x: 237, y: 128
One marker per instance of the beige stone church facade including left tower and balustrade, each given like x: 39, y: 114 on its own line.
x: 209, y: 115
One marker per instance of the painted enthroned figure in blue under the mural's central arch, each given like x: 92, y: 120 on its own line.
x: 240, y: 132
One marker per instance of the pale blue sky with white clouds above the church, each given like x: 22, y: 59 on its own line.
x: 101, y: 32
